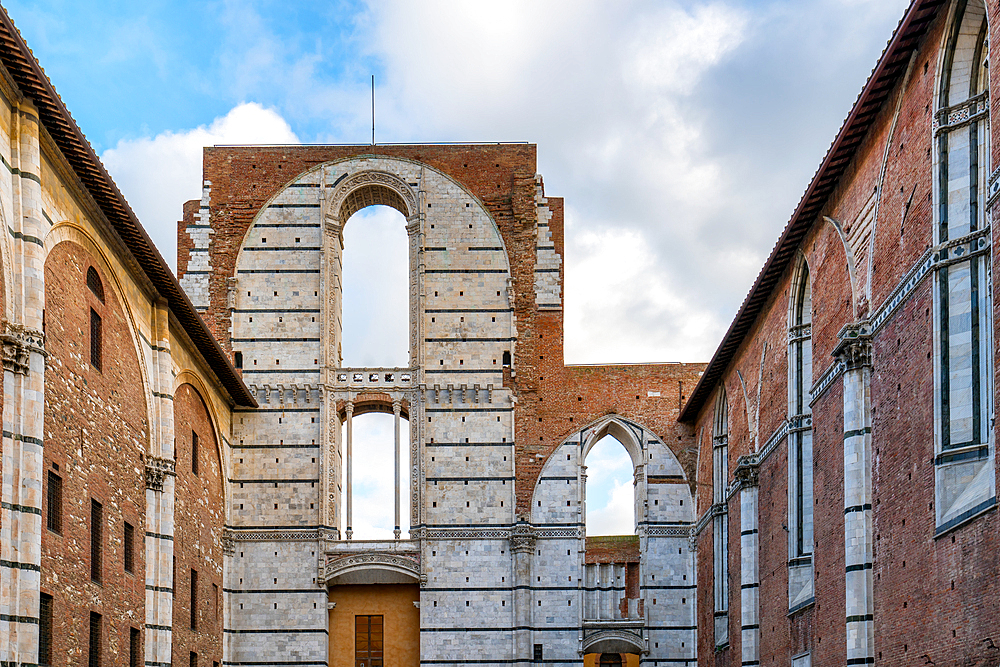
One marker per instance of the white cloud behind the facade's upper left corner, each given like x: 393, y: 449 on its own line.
x: 158, y: 174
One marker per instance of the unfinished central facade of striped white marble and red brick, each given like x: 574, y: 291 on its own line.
x: 485, y: 258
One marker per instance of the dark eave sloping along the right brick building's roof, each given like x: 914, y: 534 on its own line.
x: 883, y: 79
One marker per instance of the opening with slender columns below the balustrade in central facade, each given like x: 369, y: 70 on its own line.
x: 373, y: 486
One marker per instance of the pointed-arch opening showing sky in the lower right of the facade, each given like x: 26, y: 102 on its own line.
x: 610, y: 490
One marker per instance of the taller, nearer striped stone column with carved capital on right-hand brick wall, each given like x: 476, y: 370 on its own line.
x: 854, y: 351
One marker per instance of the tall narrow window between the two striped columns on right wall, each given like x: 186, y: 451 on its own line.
x: 800, y: 458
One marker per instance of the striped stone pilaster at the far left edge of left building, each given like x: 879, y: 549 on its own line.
x: 24, y: 396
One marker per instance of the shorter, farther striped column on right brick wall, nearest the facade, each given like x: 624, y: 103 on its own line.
x: 746, y: 475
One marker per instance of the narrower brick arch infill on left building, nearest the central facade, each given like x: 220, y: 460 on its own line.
x: 199, y: 521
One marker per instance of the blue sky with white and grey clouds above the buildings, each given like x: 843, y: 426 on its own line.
x: 681, y: 133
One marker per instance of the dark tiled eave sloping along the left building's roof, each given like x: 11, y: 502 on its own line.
x: 53, y: 115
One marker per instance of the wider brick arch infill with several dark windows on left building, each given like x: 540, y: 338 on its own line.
x: 96, y: 436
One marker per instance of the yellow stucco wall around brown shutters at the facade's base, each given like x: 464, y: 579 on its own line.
x: 401, y: 622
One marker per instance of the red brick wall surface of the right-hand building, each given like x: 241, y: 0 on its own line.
x: 907, y: 623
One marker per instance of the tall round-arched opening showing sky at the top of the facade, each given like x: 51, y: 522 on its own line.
x: 376, y: 288
